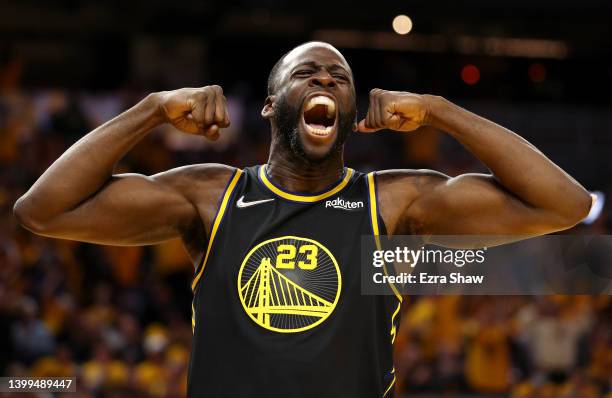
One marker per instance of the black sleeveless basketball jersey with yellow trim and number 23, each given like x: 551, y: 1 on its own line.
x: 277, y: 308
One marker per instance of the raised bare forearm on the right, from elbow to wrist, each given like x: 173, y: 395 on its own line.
x: 515, y: 163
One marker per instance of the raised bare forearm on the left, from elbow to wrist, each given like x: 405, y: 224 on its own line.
x: 87, y: 165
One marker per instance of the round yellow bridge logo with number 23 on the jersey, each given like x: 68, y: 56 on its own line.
x: 289, y: 284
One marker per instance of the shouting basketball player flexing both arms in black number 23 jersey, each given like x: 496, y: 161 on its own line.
x: 277, y: 309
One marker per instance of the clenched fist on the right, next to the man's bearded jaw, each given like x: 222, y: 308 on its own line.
x: 394, y: 110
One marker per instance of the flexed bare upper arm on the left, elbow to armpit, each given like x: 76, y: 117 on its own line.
x: 130, y: 209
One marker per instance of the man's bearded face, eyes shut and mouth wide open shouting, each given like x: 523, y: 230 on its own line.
x: 314, y: 101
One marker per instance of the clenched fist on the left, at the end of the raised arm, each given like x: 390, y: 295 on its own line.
x: 200, y: 111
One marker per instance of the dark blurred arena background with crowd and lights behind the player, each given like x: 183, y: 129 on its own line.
x: 118, y: 317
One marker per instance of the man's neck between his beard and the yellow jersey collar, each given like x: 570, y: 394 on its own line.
x: 299, y: 175
